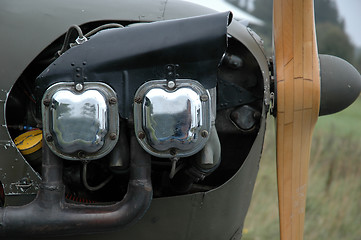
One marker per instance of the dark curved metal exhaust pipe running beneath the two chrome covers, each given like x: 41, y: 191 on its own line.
x: 50, y: 214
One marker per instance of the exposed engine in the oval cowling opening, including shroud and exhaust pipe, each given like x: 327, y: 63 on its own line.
x: 133, y: 112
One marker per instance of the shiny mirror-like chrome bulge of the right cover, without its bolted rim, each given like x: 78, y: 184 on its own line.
x: 172, y: 119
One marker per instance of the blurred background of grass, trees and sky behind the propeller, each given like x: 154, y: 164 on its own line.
x: 334, y: 195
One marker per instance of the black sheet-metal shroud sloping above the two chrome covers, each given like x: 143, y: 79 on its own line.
x: 126, y: 58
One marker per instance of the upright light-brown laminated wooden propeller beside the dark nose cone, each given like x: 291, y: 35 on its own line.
x: 298, y: 100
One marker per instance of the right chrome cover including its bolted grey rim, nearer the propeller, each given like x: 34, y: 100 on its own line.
x: 172, y: 119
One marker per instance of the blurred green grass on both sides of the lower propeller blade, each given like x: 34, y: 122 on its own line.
x: 334, y: 189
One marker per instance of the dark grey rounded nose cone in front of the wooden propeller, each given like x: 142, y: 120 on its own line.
x: 340, y: 84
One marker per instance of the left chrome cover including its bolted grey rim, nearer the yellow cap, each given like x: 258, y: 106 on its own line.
x: 78, y: 122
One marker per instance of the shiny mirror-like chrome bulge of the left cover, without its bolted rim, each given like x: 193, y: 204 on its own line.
x: 79, y: 121
